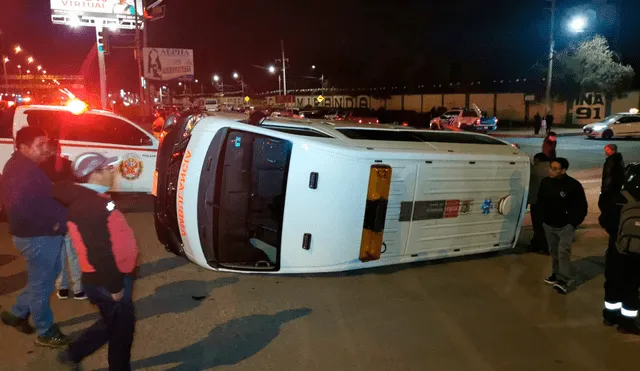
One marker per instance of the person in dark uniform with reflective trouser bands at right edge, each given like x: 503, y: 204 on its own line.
x: 622, y: 260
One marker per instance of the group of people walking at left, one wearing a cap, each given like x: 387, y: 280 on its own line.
x: 59, y: 214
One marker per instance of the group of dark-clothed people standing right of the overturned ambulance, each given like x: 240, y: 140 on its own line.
x: 558, y: 205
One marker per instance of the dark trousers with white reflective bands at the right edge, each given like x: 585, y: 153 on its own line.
x: 622, y: 281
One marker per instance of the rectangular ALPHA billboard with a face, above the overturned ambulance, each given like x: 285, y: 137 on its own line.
x: 162, y: 64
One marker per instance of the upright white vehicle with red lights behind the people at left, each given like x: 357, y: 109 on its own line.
x: 79, y: 130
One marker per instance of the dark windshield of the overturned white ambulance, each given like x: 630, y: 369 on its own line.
x: 249, y: 200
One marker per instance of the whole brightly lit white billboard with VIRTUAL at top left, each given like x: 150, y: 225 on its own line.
x: 114, y: 13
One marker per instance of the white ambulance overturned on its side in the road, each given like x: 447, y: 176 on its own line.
x: 304, y: 196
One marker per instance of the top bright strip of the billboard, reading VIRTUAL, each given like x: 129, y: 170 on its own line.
x: 86, y: 7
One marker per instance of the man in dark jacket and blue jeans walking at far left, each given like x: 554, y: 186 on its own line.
x: 38, y: 224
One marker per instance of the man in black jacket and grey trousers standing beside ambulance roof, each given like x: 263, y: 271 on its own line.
x: 563, y: 206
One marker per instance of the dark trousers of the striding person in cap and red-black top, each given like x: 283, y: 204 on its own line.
x: 116, y: 327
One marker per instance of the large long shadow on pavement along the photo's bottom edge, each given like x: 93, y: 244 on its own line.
x: 228, y: 343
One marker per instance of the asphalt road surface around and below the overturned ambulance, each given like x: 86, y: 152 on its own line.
x: 489, y: 312
